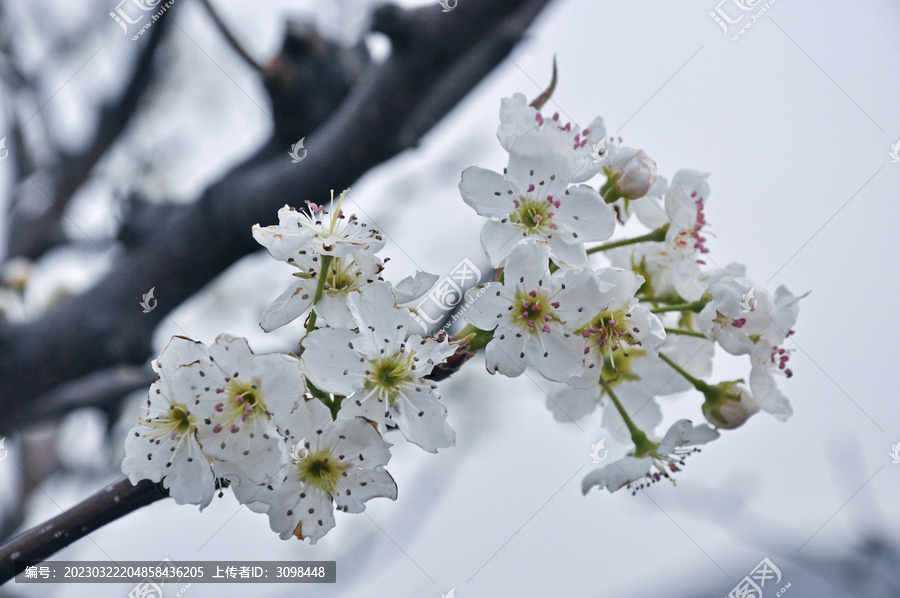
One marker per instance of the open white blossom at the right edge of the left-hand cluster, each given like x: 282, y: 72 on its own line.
x: 380, y: 371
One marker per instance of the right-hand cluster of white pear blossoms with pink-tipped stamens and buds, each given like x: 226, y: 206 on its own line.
x: 624, y: 323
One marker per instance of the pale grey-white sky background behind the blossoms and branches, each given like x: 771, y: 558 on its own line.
x: 794, y: 122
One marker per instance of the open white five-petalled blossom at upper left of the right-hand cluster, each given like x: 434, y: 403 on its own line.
x: 533, y: 201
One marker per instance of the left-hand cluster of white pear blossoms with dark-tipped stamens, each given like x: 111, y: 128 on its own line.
x: 297, y: 437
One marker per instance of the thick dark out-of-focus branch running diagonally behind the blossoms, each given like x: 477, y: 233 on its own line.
x: 104, y: 327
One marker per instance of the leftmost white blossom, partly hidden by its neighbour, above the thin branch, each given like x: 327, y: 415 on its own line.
x: 164, y: 444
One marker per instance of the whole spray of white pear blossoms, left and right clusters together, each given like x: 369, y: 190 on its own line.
x: 618, y: 324
